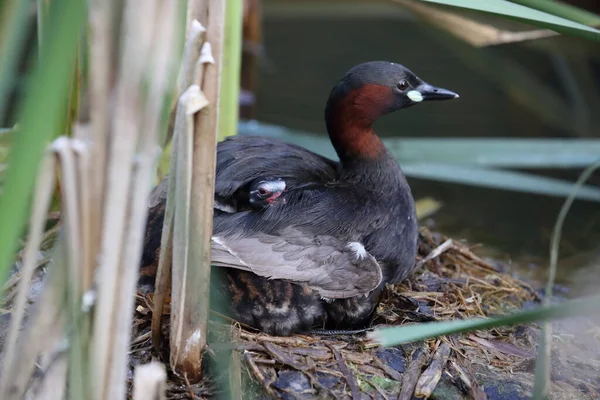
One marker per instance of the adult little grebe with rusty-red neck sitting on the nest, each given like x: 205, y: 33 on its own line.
x: 321, y: 253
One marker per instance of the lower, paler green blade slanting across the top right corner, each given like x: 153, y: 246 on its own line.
x: 524, y: 14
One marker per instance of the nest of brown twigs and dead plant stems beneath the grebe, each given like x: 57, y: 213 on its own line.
x: 452, y: 283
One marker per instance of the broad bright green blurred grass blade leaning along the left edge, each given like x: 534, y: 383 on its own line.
x: 39, y: 117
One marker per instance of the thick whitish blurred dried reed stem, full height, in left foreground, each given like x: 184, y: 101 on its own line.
x: 127, y: 190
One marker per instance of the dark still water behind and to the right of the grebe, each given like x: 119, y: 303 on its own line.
x: 305, y: 56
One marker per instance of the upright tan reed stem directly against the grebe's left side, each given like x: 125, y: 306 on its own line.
x: 197, y: 295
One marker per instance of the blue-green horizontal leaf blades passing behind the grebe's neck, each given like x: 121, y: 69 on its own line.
x: 440, y: 159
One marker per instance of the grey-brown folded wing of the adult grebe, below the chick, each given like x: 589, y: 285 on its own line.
x: 332, y: 267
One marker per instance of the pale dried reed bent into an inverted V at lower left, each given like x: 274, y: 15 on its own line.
x: 52, y: 328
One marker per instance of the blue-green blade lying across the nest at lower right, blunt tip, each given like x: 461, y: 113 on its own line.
x: 393, y: 336
